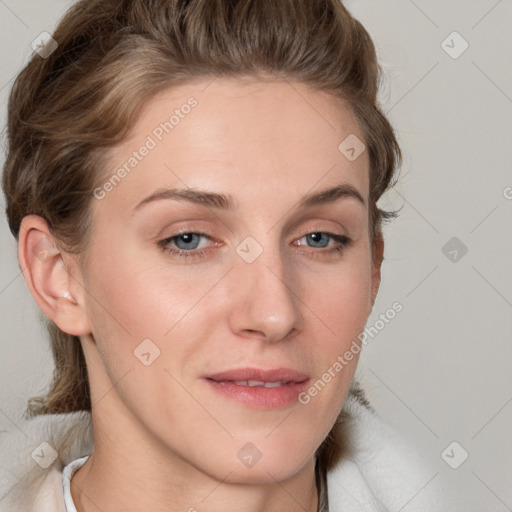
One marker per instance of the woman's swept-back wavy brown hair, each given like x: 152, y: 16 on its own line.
x: 66, y: 110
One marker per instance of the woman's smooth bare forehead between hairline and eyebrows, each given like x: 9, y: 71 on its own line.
x: 228, y: 134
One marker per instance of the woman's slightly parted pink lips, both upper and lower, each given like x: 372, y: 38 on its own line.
x: 259, y: 397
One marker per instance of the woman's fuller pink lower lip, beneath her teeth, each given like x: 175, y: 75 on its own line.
x: 260, y: 397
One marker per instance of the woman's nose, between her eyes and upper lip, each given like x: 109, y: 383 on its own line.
x: 265, y: 299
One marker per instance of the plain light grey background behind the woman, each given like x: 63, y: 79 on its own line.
x: 439, y: 372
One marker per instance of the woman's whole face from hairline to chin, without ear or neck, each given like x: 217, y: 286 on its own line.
x: 196, y: 300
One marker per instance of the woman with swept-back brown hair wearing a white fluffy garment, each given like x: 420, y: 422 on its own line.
x: 194, y: 186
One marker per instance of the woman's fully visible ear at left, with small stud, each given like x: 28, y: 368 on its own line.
x: 48, y: 276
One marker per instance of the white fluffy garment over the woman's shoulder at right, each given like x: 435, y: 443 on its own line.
x: 380, y: 471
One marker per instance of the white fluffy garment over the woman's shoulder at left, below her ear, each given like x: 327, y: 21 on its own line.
x: 34, y: 454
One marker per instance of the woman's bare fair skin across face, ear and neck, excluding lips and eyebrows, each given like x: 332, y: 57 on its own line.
x: 163, y: 439
